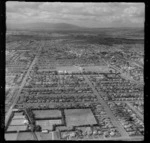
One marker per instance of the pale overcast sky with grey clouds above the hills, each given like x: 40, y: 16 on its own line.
x: 82, y: 14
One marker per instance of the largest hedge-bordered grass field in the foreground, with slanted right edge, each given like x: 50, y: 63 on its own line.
x: 76, y: 117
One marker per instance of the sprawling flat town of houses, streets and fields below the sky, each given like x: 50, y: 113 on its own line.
x: 76, y: 84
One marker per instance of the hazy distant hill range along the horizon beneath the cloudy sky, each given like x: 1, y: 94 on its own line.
x: 43, y: 26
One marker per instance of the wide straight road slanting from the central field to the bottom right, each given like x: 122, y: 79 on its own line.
x: 107, y: 109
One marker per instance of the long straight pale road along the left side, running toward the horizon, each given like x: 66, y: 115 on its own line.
x: 21, y: 86
